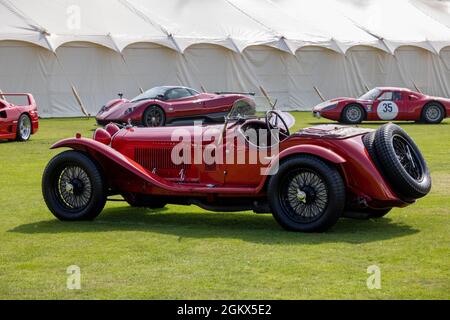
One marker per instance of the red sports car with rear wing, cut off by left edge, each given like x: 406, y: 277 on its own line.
x: 18, y: 121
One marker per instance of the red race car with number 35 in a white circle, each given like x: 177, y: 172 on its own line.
x: 385, y: 103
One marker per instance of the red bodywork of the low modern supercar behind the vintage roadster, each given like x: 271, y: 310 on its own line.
x: 203, y: 106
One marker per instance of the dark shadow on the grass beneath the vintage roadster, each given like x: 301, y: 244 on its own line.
x: 246, y: 226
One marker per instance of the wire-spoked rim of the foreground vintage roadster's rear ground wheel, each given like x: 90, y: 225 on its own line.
x: 304, y: 195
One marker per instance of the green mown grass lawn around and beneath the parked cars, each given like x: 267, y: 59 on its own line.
x: 188, y: 253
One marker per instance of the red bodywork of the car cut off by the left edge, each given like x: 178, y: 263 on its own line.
x: 10, y: 114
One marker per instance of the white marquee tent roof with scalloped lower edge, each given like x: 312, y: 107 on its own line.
x: 287, y: 25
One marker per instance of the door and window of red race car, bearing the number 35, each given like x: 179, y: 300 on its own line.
x: 389, y: 106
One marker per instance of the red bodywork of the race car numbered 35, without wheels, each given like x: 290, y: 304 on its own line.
x: 409, y: 106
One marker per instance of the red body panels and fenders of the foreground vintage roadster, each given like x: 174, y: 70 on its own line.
x: 138, y: 160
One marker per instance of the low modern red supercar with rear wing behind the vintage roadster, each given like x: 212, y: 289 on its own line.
x: 165, y: 105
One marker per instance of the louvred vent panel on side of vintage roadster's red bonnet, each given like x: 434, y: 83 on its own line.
x: 159, y: 158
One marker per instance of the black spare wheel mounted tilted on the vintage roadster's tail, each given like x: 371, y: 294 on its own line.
x: 401, y: 162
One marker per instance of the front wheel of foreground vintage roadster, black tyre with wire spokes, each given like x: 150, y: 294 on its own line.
x: 73, y: 187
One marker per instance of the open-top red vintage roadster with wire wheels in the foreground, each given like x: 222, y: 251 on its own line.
x: 307, y: 180
